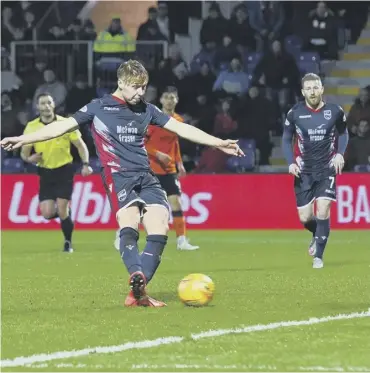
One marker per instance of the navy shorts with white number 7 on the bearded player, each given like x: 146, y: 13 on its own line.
x: 309, y: 187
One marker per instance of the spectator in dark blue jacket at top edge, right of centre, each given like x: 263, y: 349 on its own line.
x: 267, y: 19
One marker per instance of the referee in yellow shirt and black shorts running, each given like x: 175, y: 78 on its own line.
x: 54, y: 161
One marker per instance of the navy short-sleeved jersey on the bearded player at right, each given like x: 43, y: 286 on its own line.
x: 316, y: 133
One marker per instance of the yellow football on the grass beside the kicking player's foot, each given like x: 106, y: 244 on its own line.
x: 196, y: 290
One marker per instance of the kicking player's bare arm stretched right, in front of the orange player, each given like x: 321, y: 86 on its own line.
x: 196, y: 135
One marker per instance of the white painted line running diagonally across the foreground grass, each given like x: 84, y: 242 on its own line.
x: 22, y: 360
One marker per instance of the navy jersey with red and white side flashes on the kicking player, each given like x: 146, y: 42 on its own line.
x: 119, y: 129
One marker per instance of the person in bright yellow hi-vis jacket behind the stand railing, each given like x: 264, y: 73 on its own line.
x: 114, y: 40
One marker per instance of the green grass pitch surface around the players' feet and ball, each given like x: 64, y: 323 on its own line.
x: 54, y: 301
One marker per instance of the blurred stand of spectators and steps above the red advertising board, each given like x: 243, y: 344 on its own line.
x: 236, y: 65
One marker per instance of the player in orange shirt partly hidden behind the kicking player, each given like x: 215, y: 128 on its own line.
x: 166, y: 162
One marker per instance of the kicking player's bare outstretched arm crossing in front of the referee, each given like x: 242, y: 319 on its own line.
x: 52, y: 130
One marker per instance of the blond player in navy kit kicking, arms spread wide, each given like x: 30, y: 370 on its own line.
x: 119, y: 122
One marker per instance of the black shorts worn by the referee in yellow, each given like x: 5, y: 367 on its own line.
x: 56, y: 183
